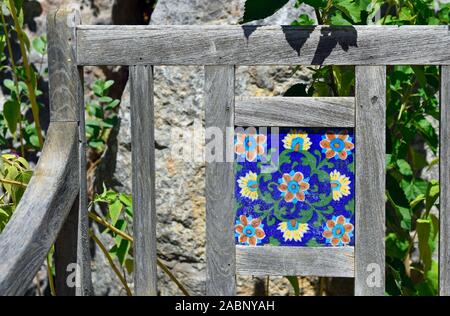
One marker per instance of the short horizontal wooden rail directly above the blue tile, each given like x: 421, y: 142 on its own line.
x: 292, y: 111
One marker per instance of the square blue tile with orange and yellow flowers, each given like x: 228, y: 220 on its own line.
x: 294, y: 187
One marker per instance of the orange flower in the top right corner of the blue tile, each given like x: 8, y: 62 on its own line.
x: 337, y: 145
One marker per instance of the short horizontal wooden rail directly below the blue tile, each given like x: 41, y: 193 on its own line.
x: 299, y: 261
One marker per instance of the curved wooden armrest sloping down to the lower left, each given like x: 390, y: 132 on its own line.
x: 42, y: 210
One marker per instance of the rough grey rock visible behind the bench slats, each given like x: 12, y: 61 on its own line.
x: 179, y: 106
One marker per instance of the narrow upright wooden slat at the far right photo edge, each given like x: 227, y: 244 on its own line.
x: 444, y: 174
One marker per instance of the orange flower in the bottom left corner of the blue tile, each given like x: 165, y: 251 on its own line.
x: 249, y: 231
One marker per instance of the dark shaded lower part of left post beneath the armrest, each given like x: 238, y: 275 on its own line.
x: 66, y: 253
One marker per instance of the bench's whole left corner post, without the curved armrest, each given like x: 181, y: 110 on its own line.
x: 67, y: 105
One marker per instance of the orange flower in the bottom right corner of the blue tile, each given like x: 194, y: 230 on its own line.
x: 338, y: 231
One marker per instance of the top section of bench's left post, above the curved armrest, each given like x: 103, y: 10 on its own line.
x: 64, y: 76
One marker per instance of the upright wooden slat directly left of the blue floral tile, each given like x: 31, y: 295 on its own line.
x: 220, y: 248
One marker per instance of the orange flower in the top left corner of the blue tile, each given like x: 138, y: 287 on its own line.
x: 250, y: 145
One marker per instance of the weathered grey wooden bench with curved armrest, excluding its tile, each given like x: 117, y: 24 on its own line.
x: 54, y: 207
